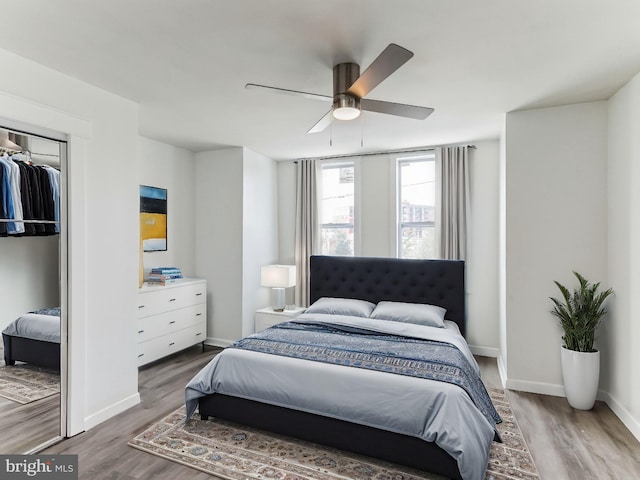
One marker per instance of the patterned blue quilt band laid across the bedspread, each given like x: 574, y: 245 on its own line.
x: 361, y: 348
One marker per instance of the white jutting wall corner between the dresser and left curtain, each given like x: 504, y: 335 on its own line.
x: 236, y: 233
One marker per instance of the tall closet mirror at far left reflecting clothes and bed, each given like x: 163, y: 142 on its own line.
x: 30, y: 406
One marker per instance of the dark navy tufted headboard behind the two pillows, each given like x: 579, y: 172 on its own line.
x: 436, y: 282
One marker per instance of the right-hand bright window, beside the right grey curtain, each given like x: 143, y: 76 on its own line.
x: 416, y: 206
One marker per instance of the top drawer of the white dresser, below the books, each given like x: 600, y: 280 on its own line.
x: 169, y: 298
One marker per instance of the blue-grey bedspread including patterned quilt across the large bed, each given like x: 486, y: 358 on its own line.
x: 304, y: 367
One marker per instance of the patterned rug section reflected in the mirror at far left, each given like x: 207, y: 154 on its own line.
x: 26, y: 384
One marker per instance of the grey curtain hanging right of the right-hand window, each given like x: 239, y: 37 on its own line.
x: 453, y: 203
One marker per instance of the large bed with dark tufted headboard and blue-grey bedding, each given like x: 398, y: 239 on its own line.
x: 398, y: 418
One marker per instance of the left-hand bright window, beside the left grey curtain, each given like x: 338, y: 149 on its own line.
x: 337, y: 209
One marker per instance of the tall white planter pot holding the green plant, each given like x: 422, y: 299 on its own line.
x: 581, y: 375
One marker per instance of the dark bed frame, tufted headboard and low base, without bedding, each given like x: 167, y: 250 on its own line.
x: 437, y: 282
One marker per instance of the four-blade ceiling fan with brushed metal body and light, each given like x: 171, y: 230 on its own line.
x: 350, y: 88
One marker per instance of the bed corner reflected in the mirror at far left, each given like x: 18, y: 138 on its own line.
x: 34, y: 338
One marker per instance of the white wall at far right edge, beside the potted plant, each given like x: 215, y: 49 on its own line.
x: 620, y: 337
